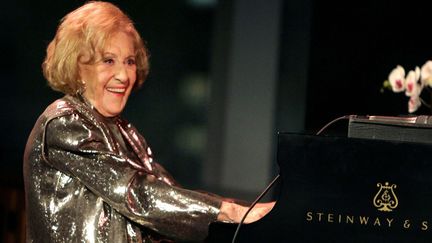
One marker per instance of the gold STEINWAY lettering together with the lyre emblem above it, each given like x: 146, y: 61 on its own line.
x: 384, y: 200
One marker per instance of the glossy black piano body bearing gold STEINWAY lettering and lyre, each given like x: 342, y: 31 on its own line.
x: 344, y: 189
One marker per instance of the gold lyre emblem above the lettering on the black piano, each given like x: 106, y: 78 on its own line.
x: 385, y: 199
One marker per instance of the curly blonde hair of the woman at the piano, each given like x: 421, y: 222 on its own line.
x: 85, y: 31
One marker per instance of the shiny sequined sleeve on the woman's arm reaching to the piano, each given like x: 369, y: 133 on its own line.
x: 79, y: 149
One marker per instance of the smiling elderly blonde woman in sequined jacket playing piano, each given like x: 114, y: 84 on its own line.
x: 89, y: 175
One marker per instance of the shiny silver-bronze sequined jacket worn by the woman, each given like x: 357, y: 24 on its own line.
x: 89, y: 178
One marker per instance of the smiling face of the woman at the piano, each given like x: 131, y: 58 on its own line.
x: 110, y: 79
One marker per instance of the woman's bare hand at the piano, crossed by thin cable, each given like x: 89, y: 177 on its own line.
x: 233, y: 213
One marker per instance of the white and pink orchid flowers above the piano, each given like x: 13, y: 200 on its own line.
x: 413, y: 84
